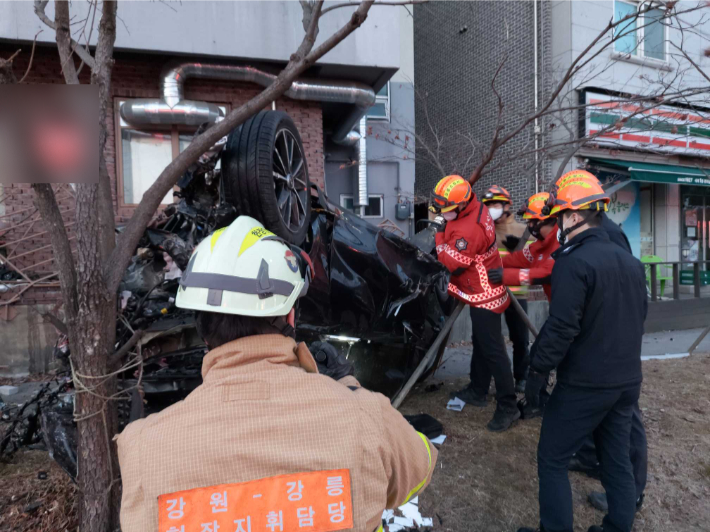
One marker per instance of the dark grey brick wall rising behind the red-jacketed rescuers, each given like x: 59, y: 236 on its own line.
x: 458, y: 48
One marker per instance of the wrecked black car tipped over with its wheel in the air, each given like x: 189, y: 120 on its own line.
x: 379, y: 298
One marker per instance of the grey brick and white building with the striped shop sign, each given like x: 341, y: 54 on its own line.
x: 654, y: 159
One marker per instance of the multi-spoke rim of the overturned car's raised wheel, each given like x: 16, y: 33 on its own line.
x: 290, y: 187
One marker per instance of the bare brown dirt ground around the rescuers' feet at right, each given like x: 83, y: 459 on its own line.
x: 488, y: 482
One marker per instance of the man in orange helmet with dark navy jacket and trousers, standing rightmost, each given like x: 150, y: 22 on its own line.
x: 593, y: 337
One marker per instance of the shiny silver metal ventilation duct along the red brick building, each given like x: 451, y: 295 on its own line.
x: 172, y: 108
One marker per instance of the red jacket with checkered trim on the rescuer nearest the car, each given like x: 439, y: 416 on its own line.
x: 467, y: 247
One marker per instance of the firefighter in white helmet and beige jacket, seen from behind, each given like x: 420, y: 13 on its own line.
x: 265, y: 442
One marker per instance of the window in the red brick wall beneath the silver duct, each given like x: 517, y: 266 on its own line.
x: 144, y: 154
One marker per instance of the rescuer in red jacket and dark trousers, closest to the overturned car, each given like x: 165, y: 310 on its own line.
x: 466, y: 245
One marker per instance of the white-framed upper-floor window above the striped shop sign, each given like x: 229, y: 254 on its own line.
x: 642, y: 35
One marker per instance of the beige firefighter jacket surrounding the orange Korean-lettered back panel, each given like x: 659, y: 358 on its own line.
x: 263, y: 411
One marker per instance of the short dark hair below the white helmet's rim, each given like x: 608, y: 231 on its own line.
x: 217, y: 329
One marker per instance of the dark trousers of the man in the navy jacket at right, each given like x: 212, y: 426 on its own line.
x: 571, y: 414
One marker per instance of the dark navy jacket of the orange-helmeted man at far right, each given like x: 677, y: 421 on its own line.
x: 594, y: 332
